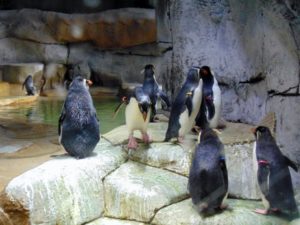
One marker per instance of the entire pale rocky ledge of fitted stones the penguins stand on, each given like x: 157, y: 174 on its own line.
x: 117, y: 186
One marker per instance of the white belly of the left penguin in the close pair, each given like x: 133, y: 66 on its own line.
x: 187, y: 122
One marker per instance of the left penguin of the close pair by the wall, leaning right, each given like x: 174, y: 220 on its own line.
x: 185, y: 107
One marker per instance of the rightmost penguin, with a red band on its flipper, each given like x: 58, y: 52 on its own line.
x: 273, y: 175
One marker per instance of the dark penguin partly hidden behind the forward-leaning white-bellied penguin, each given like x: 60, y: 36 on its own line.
x: 151, y: 87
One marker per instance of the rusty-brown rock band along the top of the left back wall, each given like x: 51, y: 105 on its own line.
x: 109, y: 29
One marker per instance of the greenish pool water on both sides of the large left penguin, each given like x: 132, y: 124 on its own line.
x: 47, y: 110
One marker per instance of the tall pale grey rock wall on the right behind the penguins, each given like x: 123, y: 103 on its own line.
x: 253, y: 48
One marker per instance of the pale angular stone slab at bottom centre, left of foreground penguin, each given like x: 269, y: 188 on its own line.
x: 136, y: 191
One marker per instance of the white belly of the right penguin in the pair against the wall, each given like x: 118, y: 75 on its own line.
x: 213, y: 123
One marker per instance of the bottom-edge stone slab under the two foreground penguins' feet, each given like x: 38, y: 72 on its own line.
x: 239, y: 212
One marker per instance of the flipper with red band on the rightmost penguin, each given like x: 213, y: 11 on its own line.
x: 263, y: 174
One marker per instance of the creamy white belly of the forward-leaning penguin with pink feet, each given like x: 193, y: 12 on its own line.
x: 134, y: 118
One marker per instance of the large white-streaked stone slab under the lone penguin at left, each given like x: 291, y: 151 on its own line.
x: 64, y: 190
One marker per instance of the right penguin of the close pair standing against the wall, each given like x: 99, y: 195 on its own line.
x: 210, y: 110
